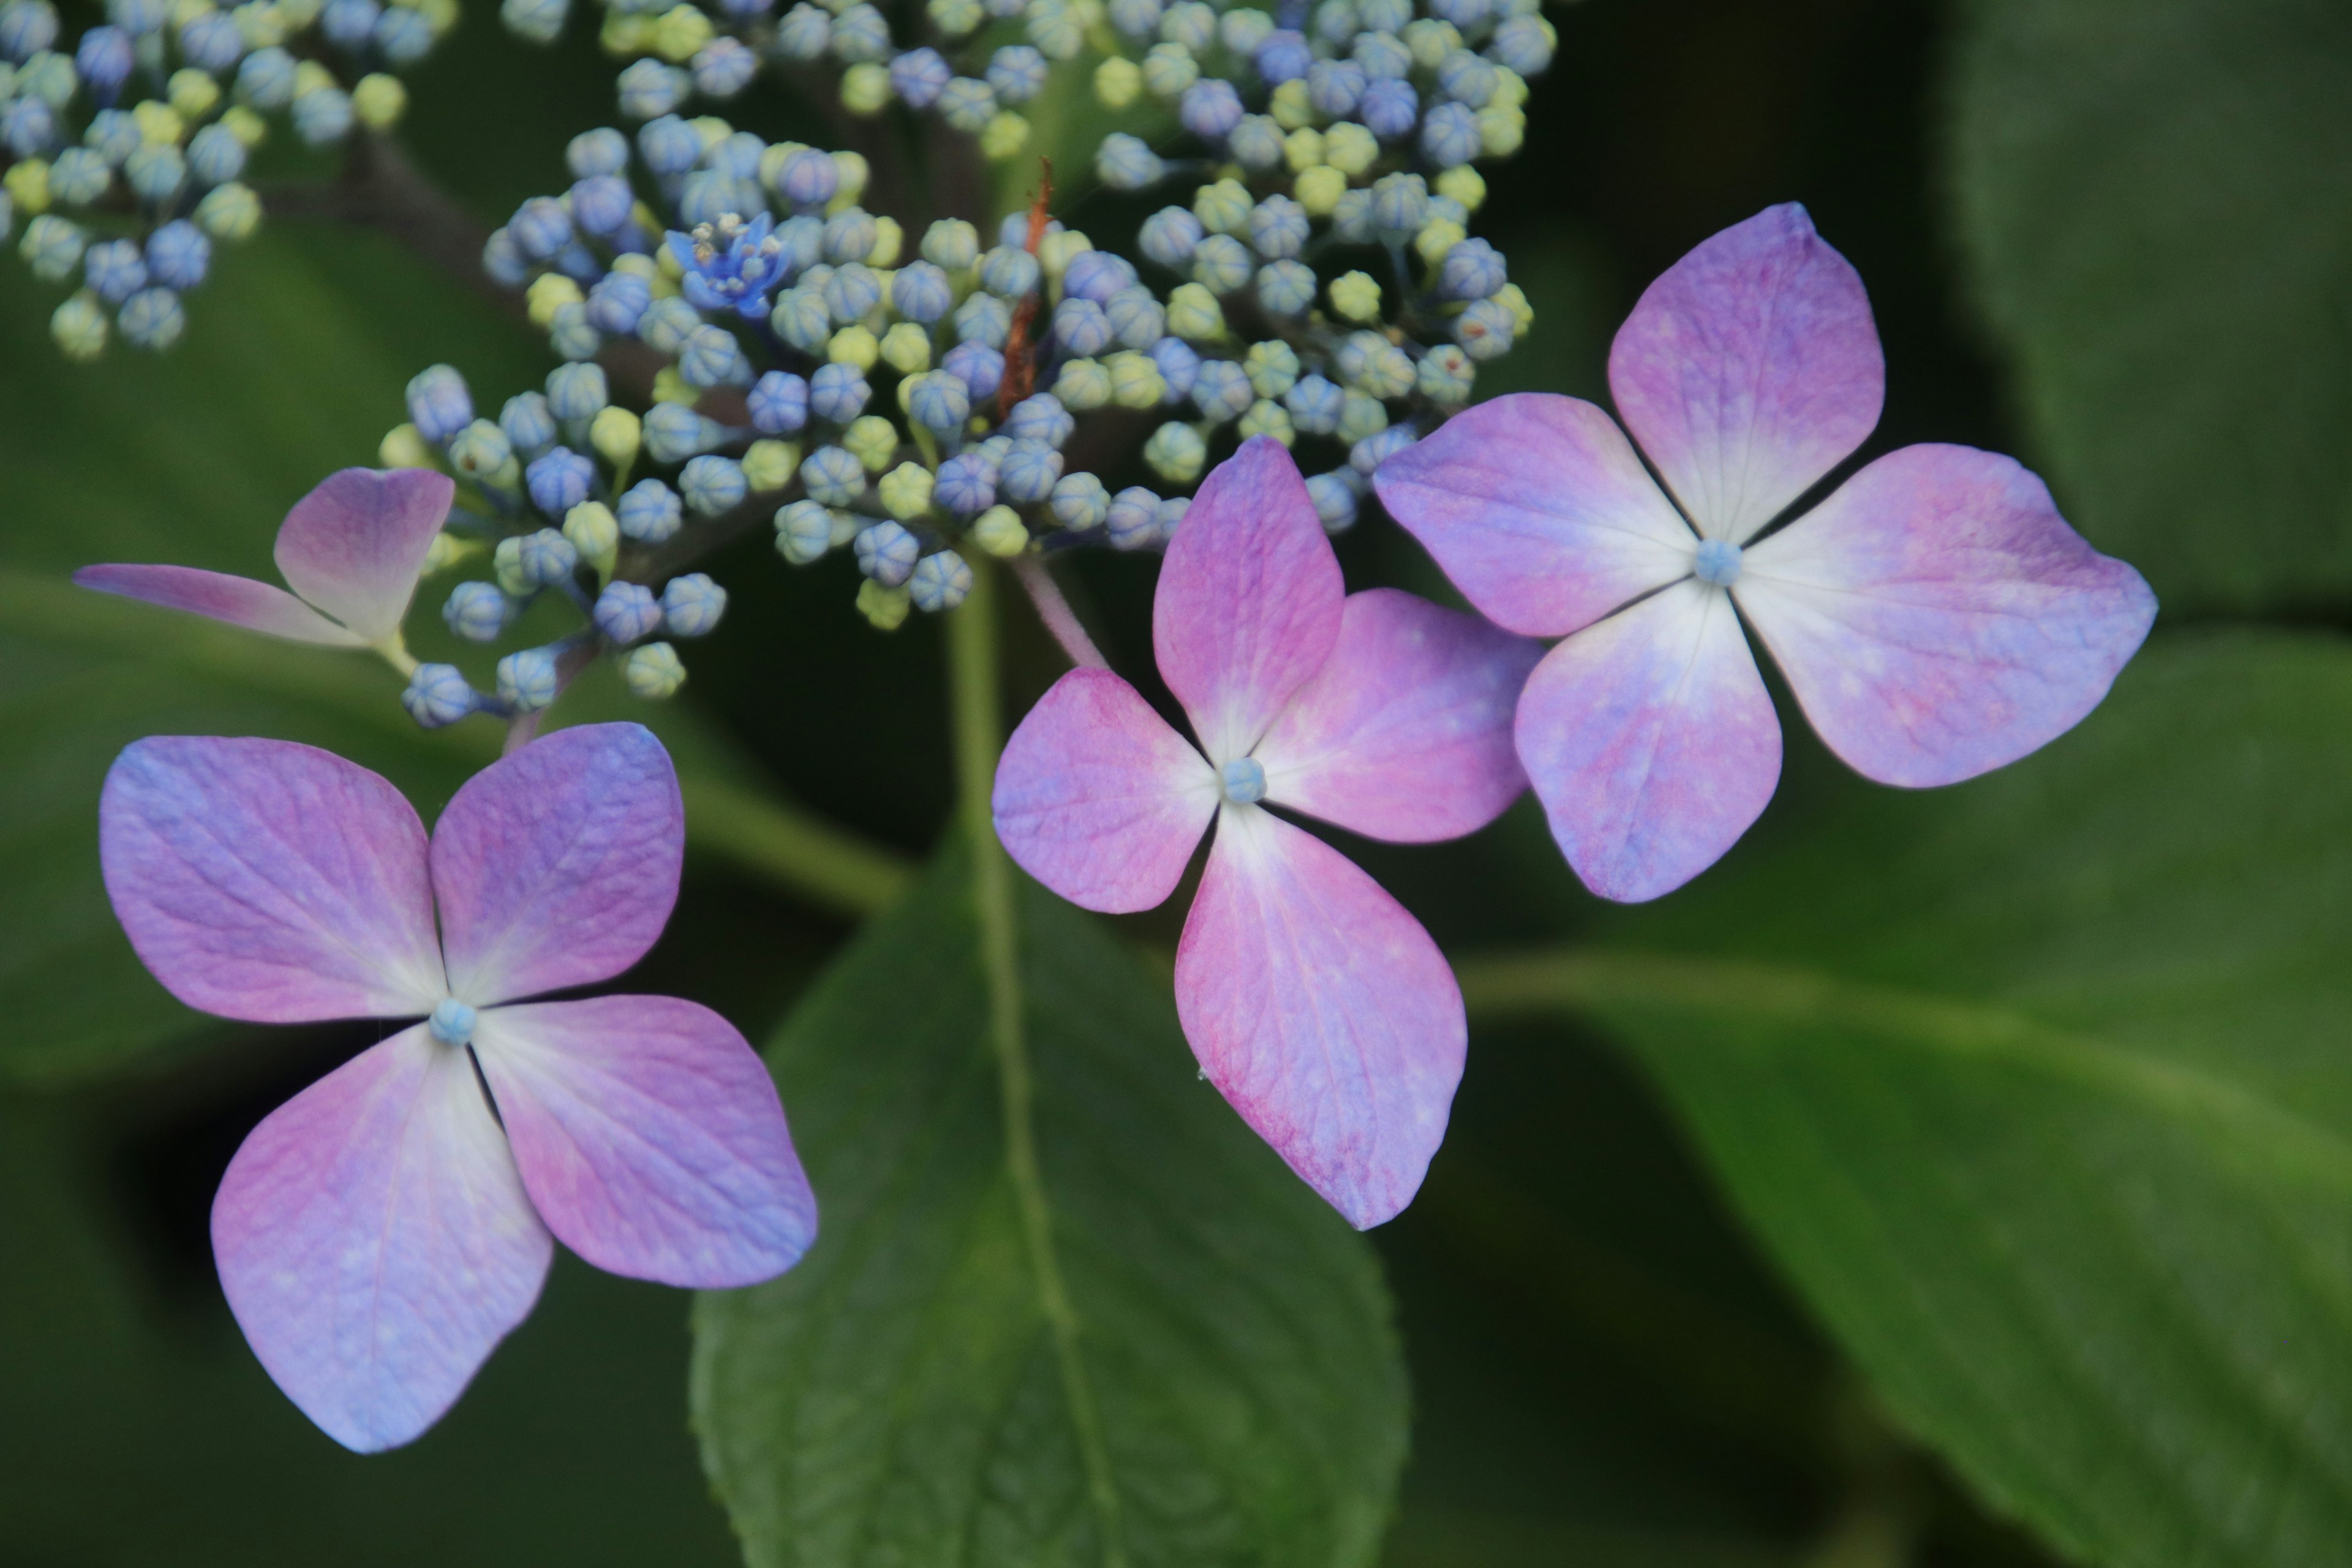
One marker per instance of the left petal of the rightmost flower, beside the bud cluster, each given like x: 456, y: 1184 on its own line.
x: 1539, y: 511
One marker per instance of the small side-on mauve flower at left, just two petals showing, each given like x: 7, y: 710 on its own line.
x: 352, y: 551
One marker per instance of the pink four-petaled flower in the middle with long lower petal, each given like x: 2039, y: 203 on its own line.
x: 1316, y: 1005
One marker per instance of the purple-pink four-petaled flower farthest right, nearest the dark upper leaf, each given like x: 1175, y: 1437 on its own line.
x: 1935, y: 615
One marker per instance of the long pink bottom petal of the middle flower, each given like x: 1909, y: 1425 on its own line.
x: 1323, y: 1012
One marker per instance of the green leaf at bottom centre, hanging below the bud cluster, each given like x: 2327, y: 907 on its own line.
x: 897, y: 1398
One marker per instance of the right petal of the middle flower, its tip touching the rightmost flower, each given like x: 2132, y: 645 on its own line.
x: 1405, y: 735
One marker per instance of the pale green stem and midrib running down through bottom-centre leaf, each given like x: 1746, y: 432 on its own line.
x: 980, y: 737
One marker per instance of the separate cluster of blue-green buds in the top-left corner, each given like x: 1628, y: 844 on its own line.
x: 123, y: 149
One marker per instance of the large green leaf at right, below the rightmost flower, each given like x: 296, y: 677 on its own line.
x: 2040, y: 1090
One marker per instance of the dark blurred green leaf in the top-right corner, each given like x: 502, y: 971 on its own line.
x: 2151, y: 194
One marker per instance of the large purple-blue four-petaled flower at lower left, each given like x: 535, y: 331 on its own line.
x: 382, y: 1231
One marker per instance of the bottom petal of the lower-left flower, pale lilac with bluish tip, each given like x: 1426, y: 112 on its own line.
x: 375, y: 1242
